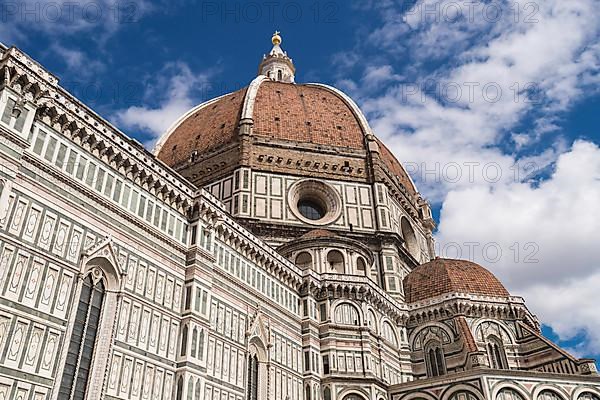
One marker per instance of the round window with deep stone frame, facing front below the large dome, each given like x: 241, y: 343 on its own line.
x: 314, y: 202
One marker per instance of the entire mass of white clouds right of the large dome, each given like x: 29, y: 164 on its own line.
x: 553, y: 220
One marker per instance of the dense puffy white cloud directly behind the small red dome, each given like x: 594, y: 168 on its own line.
x: 548, y: 236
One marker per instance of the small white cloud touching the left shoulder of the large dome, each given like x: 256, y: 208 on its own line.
x: 170, y: 95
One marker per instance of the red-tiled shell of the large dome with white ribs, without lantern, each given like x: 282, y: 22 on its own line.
x: 298, y: 114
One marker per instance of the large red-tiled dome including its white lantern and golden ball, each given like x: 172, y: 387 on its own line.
x: 277, y: 113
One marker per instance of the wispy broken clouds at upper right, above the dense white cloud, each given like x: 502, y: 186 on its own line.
x: 481, y: 97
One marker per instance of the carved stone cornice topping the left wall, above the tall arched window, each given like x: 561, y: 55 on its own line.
x: 63, y: 113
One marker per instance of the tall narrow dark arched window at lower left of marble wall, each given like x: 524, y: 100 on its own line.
x: 83, y: 338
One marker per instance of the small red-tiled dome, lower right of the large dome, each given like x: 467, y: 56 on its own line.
x: 445, y: 275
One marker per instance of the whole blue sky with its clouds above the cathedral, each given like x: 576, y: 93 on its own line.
x: 492, y: 106
